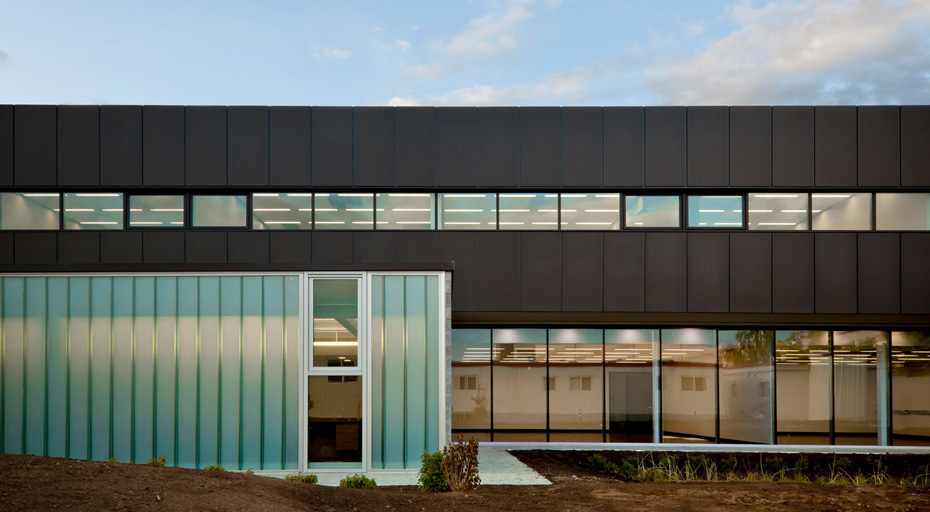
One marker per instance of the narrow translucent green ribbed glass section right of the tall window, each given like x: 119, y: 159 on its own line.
x: 405, y: 326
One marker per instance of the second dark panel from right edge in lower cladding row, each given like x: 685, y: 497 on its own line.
x: 879, y: 273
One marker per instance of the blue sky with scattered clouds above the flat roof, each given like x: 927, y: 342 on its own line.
x: 468, y: 52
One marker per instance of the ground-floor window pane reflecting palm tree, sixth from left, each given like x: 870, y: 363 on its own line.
x: 746, y: 386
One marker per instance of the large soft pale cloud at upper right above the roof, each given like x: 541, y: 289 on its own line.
x: 816, y: 51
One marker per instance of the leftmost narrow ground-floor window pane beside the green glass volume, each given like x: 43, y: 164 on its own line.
x: 471, y: 379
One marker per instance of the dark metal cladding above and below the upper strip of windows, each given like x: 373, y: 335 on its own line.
x: 175, y: 149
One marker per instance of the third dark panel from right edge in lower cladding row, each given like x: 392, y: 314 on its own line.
x: 835, y: 272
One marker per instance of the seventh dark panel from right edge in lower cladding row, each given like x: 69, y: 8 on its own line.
x: 666, y: 272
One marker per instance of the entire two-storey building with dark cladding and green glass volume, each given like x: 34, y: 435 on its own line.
x: 329, y: 287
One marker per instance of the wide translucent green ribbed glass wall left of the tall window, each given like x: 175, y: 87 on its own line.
x: 200, y: 370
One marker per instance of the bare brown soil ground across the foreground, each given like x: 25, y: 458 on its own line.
x: 38, y: 483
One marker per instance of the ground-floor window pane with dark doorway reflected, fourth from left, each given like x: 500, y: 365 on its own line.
x: 628, y: 358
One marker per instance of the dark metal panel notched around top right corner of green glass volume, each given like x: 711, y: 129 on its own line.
x: 461, y: 249
